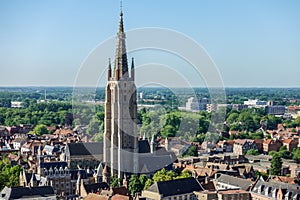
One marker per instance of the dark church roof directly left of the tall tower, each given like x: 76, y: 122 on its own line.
x: 83, y: 149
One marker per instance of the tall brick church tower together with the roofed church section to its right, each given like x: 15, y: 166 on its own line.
x: 123, y: 152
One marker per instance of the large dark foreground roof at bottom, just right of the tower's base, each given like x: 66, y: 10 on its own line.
x: 176, y: 187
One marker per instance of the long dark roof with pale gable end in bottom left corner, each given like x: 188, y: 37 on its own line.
x: 26, y: 192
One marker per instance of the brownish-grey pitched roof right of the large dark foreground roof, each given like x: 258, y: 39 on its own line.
x: 244, y: 184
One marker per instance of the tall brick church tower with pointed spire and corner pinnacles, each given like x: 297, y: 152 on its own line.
x: 120, y: 131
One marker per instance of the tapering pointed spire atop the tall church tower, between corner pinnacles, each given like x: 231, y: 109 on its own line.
x: 121, y: 64
